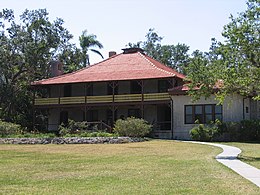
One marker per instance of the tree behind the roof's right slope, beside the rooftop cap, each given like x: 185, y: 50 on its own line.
x: 174, y: 56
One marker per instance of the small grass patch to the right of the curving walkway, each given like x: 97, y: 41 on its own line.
x: 250, y: 152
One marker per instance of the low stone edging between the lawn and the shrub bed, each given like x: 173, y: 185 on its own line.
x: 71, y: 140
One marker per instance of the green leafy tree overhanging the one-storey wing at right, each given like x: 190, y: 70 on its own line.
x: 235, y: 63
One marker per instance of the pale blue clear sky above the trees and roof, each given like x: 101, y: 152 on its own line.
x: 118, y: 22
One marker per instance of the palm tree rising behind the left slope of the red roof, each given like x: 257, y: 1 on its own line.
x: 86, y: 42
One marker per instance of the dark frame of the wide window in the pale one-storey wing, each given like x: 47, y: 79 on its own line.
x: 194, y: 116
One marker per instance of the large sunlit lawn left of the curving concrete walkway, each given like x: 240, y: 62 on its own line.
x: 154, y: 167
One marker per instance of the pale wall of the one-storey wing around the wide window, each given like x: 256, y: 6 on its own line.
x: 232, y: 111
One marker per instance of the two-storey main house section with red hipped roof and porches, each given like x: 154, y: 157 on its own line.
x: 126, y: 84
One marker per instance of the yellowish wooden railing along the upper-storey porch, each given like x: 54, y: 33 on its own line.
x: 102, y: 99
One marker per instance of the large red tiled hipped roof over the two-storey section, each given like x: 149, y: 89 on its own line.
x: 130, y: 66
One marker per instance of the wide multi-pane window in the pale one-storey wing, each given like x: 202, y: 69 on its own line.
x: 202, y: 113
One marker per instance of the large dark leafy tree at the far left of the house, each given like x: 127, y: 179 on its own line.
x: 26, y: 49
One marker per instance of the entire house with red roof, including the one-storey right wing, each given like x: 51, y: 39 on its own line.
x: 132, y: 84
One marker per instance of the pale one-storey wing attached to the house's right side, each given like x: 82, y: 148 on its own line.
x: 185, y: 112
